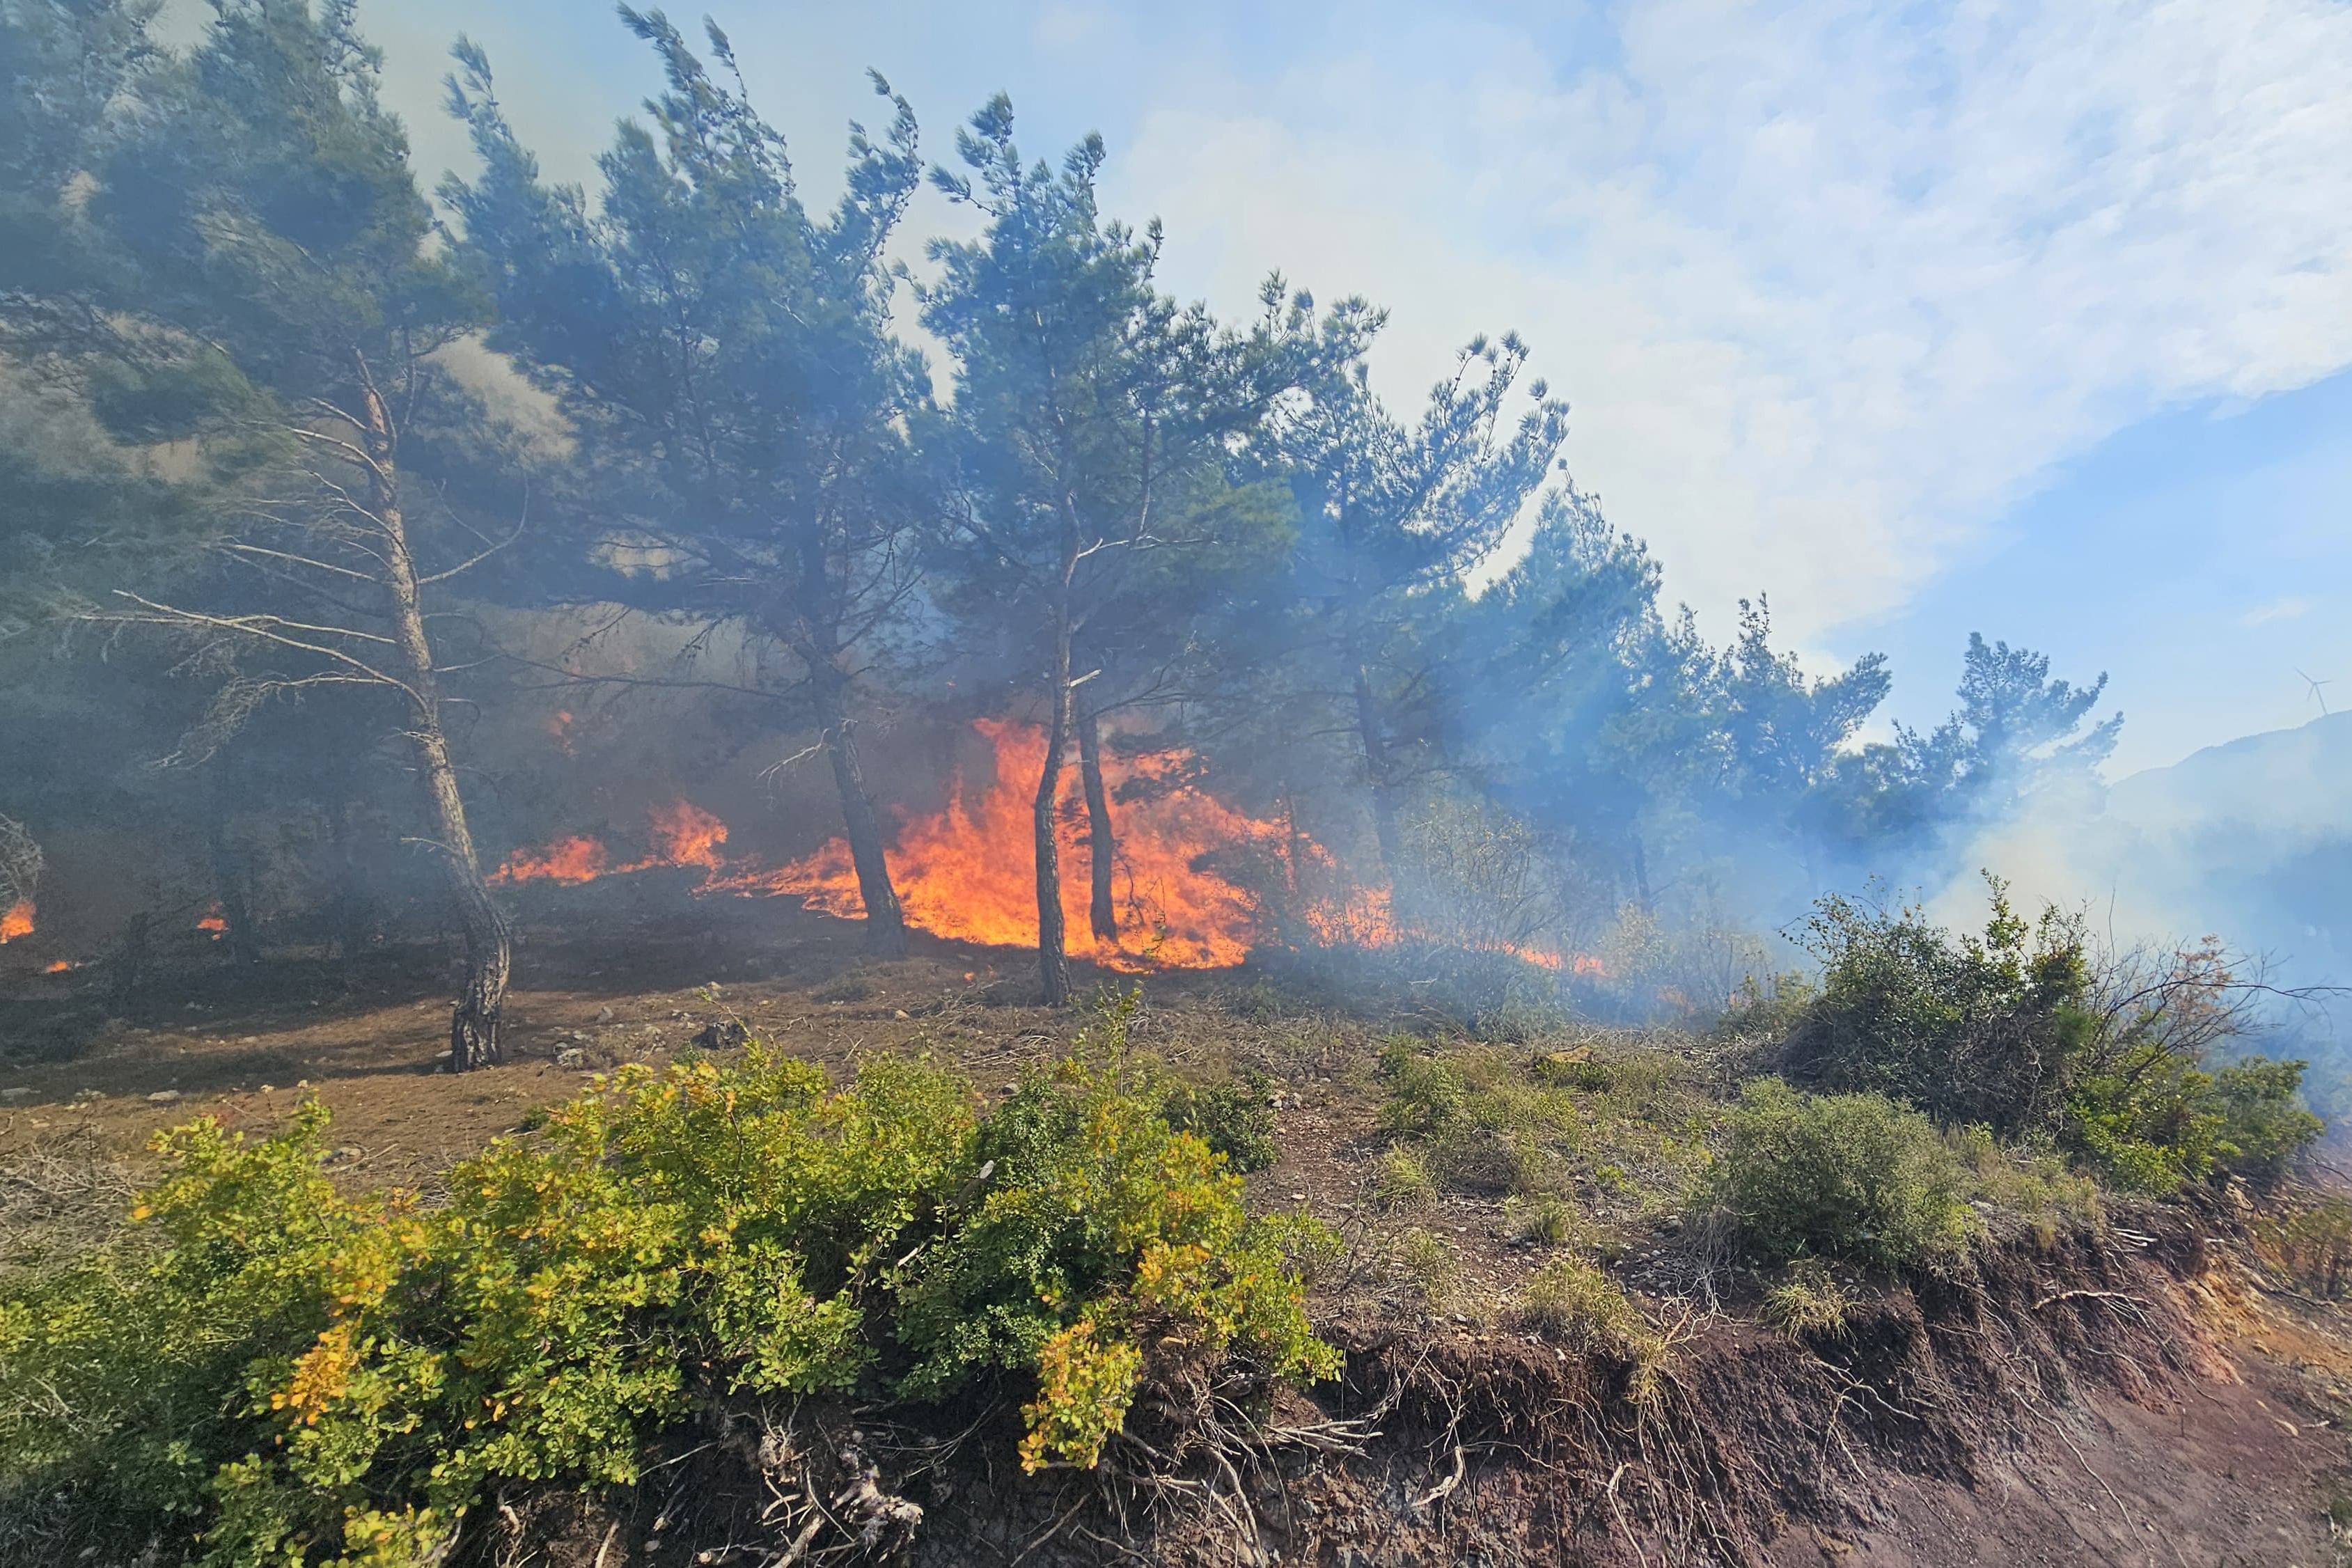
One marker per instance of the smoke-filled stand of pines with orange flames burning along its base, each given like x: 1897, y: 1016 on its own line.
x: 380, y: 544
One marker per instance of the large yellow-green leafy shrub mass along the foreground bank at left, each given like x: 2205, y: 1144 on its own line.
x: 321, y: 1379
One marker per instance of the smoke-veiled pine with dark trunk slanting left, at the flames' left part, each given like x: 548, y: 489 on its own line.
x: 728, y: 363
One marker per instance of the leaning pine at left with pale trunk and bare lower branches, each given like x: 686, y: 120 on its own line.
x: 262, y: 288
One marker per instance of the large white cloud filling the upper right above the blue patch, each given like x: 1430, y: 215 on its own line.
x: 1826, y: 283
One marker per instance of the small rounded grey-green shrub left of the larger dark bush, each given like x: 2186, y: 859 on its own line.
x: 1840, y: 1177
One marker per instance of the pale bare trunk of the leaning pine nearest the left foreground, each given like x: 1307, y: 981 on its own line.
x: 490, y: 949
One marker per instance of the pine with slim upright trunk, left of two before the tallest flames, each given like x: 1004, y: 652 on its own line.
x: 1093, y: 427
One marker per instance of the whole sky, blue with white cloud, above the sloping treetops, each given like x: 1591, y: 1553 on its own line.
x: 1935, y: 319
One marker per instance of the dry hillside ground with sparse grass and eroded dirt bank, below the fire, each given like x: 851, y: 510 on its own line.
x: 1544, y: 1355
